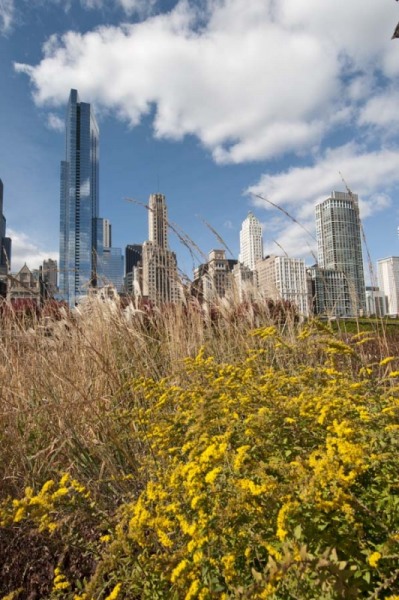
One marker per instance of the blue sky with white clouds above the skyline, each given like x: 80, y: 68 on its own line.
x: 225, y: 106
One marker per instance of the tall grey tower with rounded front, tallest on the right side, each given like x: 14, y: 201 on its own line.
x: 339, y: 243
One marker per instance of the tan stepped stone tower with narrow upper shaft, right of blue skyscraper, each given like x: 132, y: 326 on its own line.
x: 160, y: 280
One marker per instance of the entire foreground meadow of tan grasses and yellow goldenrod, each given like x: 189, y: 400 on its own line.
x: 183, y: 454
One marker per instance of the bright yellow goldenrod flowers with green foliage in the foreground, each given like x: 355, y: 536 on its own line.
x: 263, y: 479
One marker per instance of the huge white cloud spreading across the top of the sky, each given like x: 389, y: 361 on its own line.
x: 251, y: 79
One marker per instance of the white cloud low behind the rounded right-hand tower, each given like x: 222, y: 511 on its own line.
x: 371, y: 175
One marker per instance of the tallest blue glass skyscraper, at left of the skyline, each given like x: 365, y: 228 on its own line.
x: 79, y: 201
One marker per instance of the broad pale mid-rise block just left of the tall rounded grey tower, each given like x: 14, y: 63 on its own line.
x: 283, y: 278
